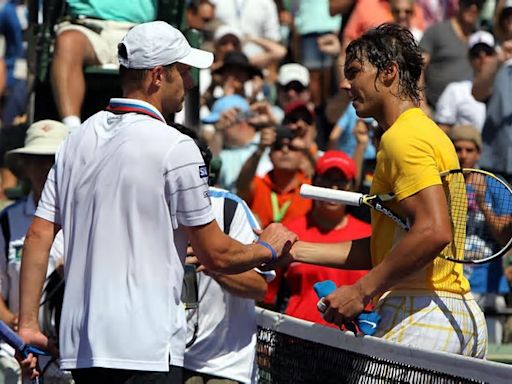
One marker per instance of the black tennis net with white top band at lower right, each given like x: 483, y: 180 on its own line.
x: 295, y: 351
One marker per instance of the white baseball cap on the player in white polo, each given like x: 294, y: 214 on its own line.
x: 149, y: 45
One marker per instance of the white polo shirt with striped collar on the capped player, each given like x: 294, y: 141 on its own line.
x: 122, y: 187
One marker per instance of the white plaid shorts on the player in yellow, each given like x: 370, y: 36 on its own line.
x: 438, y: 322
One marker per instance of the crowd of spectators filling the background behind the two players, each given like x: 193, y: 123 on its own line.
x: 274, y: 118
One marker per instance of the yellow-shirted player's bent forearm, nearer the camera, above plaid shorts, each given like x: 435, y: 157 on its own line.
x: 417, y: 250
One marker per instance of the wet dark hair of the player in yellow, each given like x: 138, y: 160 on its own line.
x: 386, y: 44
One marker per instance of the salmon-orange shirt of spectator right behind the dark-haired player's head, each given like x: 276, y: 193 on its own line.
x: 369, y: 14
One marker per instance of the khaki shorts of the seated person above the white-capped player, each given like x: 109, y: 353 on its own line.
x: 104, y: 43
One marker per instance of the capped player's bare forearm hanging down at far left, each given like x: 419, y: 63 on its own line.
x: 32, y: 276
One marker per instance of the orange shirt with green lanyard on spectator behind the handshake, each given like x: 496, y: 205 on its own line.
x: 288, y: 204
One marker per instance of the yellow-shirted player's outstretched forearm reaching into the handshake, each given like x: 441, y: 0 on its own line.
x: 354, y: 255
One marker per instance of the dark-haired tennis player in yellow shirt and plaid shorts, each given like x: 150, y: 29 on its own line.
x: 424, y: 301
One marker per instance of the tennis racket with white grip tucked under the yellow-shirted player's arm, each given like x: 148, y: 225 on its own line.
x: 480, y: 206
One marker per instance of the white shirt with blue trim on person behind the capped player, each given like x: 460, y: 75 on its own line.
x: 226, y: 337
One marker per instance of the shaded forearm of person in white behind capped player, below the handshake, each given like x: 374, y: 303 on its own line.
x: 248, y: 285
